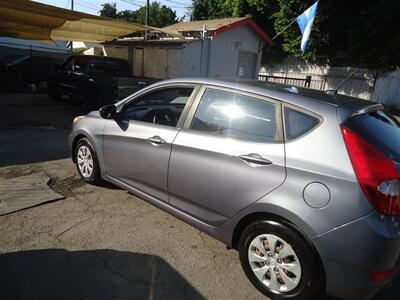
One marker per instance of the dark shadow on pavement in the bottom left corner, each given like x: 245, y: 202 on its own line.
x: 96, y: 274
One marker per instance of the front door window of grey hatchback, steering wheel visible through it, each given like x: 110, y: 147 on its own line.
x: 162, y: 107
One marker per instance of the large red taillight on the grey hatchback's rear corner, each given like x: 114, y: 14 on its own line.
x: 376, y: 174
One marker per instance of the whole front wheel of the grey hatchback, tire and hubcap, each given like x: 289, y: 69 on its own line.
x: 87, y: 162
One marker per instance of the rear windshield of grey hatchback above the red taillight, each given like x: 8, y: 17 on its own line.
x: 380, y: 129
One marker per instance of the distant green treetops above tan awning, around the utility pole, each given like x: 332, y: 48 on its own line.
x: 160, y: 15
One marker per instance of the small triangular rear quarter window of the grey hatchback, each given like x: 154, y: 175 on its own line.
x: 298, y: 123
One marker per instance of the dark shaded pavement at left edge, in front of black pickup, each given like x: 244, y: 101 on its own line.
x: 33, y: 128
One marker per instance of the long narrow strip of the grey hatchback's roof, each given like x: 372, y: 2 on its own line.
x: 279, y: 91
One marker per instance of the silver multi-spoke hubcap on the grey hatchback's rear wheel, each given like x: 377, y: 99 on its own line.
x: 274, y: 263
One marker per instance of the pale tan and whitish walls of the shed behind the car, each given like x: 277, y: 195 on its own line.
x: 216, y: 57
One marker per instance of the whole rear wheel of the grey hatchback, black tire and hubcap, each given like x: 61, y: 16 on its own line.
x: 288, y: 270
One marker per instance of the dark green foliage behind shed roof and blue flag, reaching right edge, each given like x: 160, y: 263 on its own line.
x: 362, y: 33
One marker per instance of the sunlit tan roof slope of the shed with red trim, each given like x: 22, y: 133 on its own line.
x: 198, y: 25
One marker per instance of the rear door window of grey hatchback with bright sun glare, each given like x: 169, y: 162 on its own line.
x: 237, y: 116
